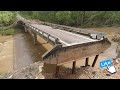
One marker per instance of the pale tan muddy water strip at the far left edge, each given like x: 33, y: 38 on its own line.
x: 6, y: 54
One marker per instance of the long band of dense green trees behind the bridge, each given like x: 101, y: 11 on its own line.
x: 76, y: 18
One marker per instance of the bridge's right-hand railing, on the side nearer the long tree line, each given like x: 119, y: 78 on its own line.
x: 91, y: 33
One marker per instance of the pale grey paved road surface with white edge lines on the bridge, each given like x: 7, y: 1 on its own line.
x: 67, y: 38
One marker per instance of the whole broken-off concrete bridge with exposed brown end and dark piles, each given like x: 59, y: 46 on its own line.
x: 69, y: 44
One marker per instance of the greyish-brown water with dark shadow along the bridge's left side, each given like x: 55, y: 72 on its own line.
x: 26, y: 52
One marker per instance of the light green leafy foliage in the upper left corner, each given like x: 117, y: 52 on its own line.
x: 7, y: 18
